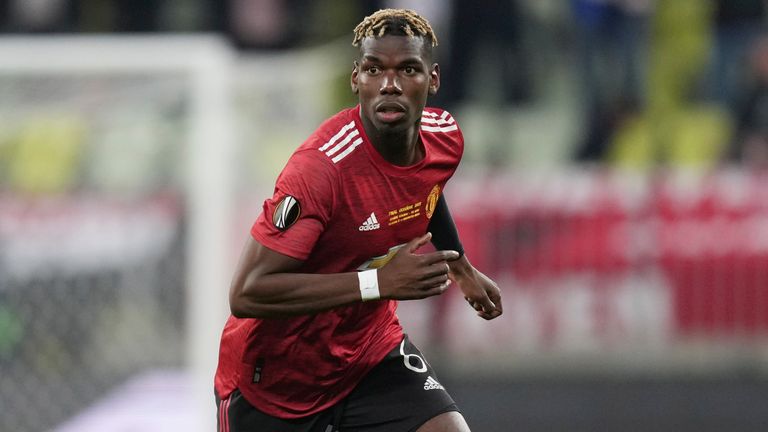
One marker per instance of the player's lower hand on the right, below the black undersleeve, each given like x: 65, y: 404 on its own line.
x: 479, y: 290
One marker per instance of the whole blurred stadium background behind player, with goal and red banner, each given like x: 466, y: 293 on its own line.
x: 614, y: 185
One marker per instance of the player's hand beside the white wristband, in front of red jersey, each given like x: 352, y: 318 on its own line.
x: 410, y: 275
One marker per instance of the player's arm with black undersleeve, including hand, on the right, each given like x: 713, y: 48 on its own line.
x: 480, y: 291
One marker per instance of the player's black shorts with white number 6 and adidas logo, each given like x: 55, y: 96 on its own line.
x: 399, y: 395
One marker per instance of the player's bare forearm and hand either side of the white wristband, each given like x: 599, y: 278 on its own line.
x: 266, y: 285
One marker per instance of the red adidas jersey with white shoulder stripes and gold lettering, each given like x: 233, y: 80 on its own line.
x: 339, y: 206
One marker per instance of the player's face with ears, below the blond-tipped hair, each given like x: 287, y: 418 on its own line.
x: 392, y: 79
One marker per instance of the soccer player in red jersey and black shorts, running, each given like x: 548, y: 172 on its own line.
x: 313, y: 343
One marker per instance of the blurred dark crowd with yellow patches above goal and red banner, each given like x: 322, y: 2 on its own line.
x: 640, y: 76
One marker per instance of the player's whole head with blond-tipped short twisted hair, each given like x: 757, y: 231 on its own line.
x: 394, y: 73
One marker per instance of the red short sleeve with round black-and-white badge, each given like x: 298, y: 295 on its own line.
x: 296, y: 215
